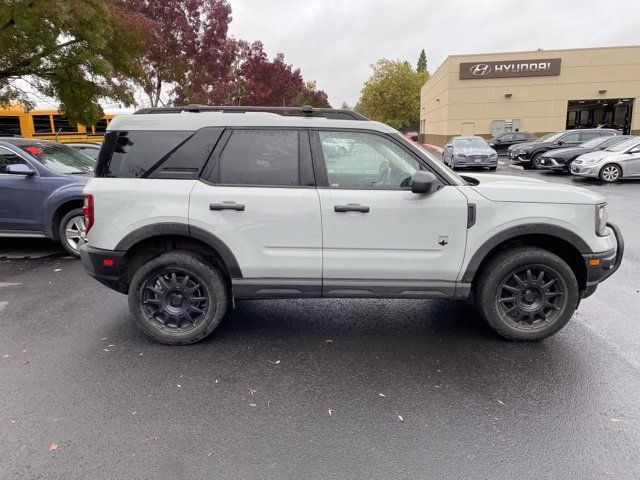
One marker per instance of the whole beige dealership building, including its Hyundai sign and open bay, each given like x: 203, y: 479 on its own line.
x: 541, y: 91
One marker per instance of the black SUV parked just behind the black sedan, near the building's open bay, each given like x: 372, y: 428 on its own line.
x: 528, y: 154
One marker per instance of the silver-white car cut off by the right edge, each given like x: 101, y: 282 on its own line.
x: 610, y: 165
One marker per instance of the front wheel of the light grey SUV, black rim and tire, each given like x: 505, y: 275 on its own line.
x: 527, y: 293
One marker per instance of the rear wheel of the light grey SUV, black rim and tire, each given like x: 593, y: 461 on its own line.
x: 178, y: 298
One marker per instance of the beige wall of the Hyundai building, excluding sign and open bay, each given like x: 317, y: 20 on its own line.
x: 450, y: 106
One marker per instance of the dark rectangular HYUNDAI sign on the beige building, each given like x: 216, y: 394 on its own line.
x: 510, y: 68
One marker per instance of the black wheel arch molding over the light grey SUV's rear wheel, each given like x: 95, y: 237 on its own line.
x: 185, y: 231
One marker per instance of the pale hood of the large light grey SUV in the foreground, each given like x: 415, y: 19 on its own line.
x: 511, y: 188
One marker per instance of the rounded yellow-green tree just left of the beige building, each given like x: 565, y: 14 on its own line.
x: 392, y: 94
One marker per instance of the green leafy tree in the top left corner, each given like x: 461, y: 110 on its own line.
x: 77, y: 51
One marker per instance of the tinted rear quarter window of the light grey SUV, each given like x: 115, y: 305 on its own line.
x: 156, y: 154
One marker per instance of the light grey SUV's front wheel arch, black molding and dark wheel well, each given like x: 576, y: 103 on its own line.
x: 558, y: 240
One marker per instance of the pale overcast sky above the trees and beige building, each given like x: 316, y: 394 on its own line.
x: 335, y: 41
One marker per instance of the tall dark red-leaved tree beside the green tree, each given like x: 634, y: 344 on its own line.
x: 188, y: 51
